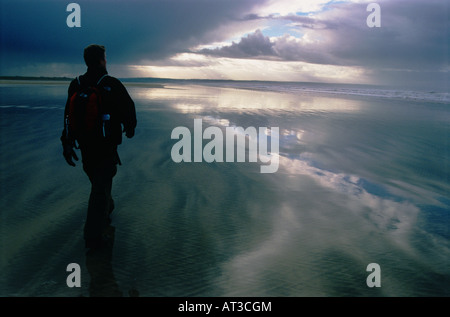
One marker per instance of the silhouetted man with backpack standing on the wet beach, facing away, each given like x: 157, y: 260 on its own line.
x: 99, y: 154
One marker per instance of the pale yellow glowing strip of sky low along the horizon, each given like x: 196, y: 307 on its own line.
x: 190, y: 66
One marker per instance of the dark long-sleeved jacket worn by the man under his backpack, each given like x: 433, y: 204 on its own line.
x: 115, y: 98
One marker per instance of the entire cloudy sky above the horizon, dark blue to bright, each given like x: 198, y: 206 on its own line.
x: 275, y: 40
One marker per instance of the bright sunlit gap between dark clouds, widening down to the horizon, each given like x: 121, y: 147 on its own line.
x: 254, y: 56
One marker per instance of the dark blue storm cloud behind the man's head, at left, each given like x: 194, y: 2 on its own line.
x: 132, y: 31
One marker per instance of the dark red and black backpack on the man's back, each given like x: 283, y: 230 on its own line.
x: 87, y: 118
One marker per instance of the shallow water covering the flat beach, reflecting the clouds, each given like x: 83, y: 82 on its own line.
x: 361, y: 180
